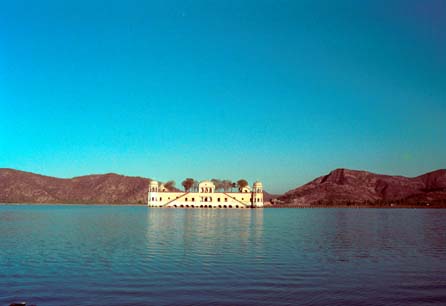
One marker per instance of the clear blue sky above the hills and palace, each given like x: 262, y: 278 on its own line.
x: 280, y: 91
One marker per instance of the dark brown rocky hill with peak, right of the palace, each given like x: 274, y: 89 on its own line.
x: 352, y: 186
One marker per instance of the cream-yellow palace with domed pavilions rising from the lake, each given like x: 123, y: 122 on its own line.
x: 206, y: 197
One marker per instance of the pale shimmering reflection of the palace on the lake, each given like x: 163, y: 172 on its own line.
x: 205, y: 230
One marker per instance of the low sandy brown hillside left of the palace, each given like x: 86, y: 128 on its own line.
x: 25, y: 187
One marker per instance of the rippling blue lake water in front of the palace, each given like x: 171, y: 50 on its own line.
x: 116, y: 255
